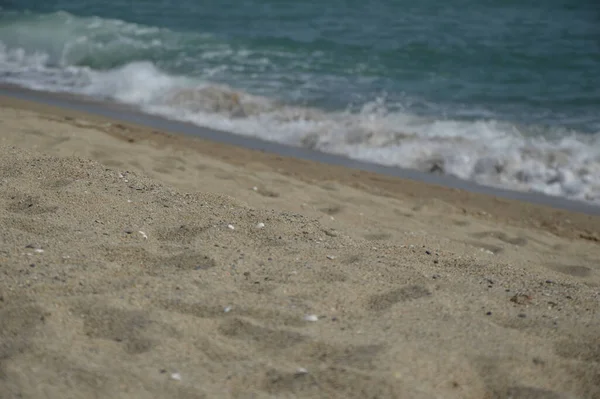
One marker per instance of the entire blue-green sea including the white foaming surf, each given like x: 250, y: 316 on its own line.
x: 502, y: 92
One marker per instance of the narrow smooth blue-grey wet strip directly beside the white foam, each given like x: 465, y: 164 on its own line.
x: 132, y: 115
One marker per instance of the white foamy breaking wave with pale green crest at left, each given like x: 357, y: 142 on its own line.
x: 124, y: 62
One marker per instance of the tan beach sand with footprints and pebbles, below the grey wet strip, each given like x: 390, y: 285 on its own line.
x: 139, y: 264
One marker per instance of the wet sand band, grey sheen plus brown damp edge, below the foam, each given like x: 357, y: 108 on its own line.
x: 561, y: 217
